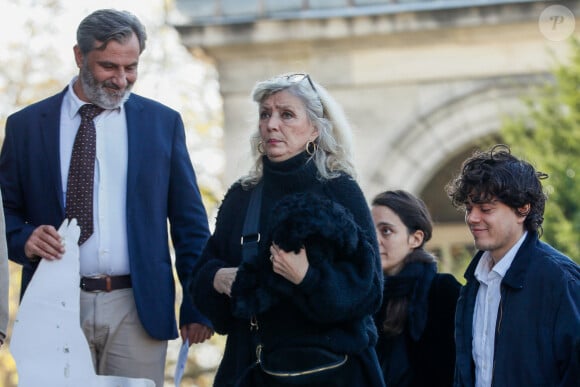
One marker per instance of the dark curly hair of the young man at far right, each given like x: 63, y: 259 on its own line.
x: 496, y: 173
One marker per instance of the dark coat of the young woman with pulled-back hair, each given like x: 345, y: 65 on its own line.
x: 424, y: 353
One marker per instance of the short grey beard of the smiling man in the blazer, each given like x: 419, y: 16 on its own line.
x: 97, y: 94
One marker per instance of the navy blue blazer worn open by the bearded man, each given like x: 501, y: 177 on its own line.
x: 161, y: 186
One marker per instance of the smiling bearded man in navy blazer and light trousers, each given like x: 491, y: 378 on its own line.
x: 143, y: 179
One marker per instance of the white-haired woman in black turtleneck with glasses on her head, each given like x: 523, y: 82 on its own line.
x: 296, y: 297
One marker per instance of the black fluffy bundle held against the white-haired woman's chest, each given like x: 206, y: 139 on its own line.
x: 325, y: 228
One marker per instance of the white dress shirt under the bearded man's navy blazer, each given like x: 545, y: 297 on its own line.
x: 106, y: 251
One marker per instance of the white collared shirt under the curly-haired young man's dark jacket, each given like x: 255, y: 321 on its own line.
x: 486, y: 310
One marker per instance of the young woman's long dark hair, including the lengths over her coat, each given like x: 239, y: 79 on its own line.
x: 415, y: 216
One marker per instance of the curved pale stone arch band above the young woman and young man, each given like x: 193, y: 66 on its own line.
x: 454, y: 123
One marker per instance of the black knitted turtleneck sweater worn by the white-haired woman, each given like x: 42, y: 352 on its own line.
x: 333, y: 305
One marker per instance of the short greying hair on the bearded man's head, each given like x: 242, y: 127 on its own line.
x: 108, y: 24
